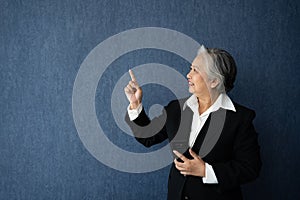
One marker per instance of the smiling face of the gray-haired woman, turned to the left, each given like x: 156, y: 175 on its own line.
x: 197, y: 78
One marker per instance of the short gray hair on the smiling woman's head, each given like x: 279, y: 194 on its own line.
x: 220, y: 65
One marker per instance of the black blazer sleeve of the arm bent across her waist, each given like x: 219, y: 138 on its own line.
x: 246, y: 163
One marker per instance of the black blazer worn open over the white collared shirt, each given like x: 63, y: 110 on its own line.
x: 235, y: 157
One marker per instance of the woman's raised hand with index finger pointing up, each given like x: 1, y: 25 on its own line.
x: 133, y: 92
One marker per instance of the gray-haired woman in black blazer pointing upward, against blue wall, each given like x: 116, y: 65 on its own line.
x: 216, y: 152
